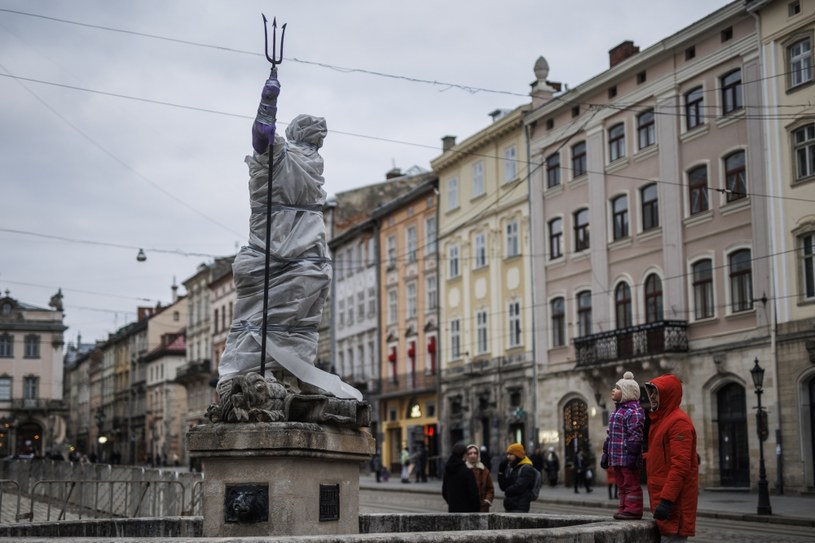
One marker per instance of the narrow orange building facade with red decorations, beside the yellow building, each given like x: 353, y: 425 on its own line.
x: 408, y: 324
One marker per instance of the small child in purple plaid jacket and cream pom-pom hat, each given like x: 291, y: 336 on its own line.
x: 622, y: 450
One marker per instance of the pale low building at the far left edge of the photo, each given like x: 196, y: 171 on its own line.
x: 32, y: 411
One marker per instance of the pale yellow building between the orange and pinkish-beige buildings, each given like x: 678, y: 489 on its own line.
x: 485, y: 286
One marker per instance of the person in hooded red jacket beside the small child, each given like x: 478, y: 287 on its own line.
x: 671, y: 462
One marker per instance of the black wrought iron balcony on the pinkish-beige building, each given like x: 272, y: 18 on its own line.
x: 633, y: 342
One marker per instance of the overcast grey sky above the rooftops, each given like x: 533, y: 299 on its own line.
x: 124, y: 125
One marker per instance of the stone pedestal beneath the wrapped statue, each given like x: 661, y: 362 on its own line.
x: 280, y: 478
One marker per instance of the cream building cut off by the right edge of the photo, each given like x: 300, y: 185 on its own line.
x: 787, y: 35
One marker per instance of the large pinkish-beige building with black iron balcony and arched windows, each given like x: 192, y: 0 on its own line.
x: 649, y: 213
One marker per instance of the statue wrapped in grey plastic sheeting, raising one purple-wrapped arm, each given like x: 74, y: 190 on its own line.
x: 299, y: 267
